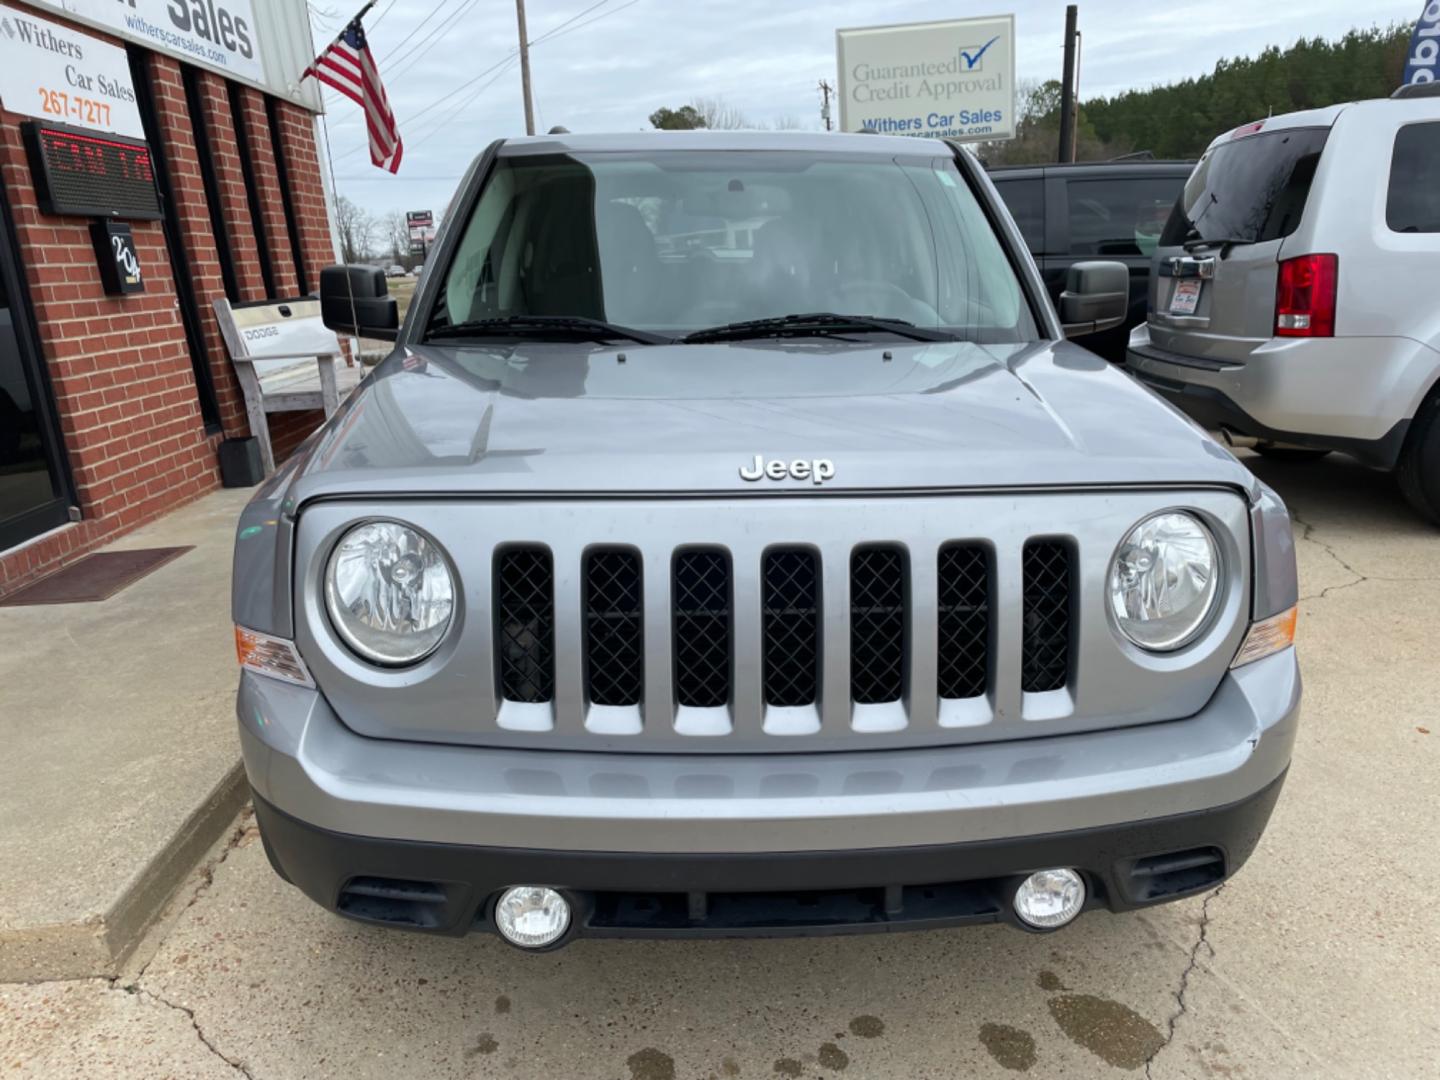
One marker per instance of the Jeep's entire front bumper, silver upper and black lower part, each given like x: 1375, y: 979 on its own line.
x: 649, y: 833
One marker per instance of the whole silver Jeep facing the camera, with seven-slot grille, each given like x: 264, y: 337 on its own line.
x: 735, y: 545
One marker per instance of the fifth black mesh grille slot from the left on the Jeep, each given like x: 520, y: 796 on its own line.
x: 878, y: 626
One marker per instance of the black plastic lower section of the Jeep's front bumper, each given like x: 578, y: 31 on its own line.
x: 451, y: 888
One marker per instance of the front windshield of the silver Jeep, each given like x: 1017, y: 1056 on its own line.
x: 682, y: 241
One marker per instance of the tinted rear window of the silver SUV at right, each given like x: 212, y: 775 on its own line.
x: 1249, y: 189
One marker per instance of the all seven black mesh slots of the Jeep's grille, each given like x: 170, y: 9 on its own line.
x: 791, y: 631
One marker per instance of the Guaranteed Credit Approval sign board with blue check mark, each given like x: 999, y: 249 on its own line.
x: 953, y: 80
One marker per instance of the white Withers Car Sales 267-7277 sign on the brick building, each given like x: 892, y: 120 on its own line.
x: 60, y: 74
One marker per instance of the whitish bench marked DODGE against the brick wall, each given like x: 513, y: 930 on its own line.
x: 286, y: 362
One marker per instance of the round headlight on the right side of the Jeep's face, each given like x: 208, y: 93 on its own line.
x: 1166, y: 581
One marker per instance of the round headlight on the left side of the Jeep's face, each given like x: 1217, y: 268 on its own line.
x: 390, y: 593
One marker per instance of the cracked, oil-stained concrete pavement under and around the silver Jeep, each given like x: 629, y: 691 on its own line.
x: 1320, y: 960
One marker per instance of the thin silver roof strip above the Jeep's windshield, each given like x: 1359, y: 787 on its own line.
x: 798, y: 142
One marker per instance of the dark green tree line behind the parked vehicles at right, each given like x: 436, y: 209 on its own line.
x: 1180, y: 119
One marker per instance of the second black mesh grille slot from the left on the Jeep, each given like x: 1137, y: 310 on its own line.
x: 614, y: 650
